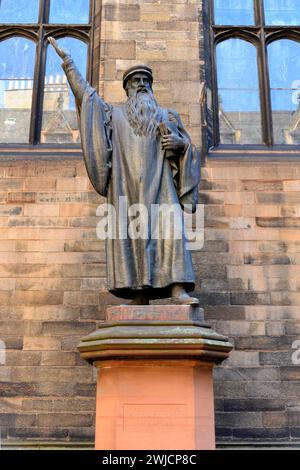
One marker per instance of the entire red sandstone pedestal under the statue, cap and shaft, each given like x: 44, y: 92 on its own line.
x: 155, y: 378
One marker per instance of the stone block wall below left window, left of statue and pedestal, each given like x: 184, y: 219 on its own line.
x: 52, y: 277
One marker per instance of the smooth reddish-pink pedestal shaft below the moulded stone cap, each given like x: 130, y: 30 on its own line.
x: 155, y: 405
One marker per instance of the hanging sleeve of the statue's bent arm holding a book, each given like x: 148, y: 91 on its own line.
x: 189, y: 171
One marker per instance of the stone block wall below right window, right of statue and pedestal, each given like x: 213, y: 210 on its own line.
x: 249, y: 271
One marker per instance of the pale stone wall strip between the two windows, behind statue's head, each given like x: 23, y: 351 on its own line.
x: 163, y: 34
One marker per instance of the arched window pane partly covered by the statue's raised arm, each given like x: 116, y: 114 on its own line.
x: 59, y: 115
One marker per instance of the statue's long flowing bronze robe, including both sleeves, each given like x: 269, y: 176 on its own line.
x: 121, y: 164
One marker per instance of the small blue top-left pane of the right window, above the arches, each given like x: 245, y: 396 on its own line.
x: 234, y: 12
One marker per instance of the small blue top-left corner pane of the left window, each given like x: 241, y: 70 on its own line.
x: 23, y: 11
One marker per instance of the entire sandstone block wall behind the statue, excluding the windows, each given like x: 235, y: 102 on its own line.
x: 52, y: 270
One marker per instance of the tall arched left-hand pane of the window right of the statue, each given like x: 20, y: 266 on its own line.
x: 238, y: 89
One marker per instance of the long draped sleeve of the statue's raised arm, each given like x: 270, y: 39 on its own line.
x: 94, y: 118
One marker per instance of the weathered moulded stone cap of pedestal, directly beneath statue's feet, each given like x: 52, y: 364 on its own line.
x: 156, y: 333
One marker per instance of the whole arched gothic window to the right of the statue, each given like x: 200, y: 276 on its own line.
x: 253, y: 73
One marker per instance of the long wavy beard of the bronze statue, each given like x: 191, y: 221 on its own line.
x: 143, y: 113
